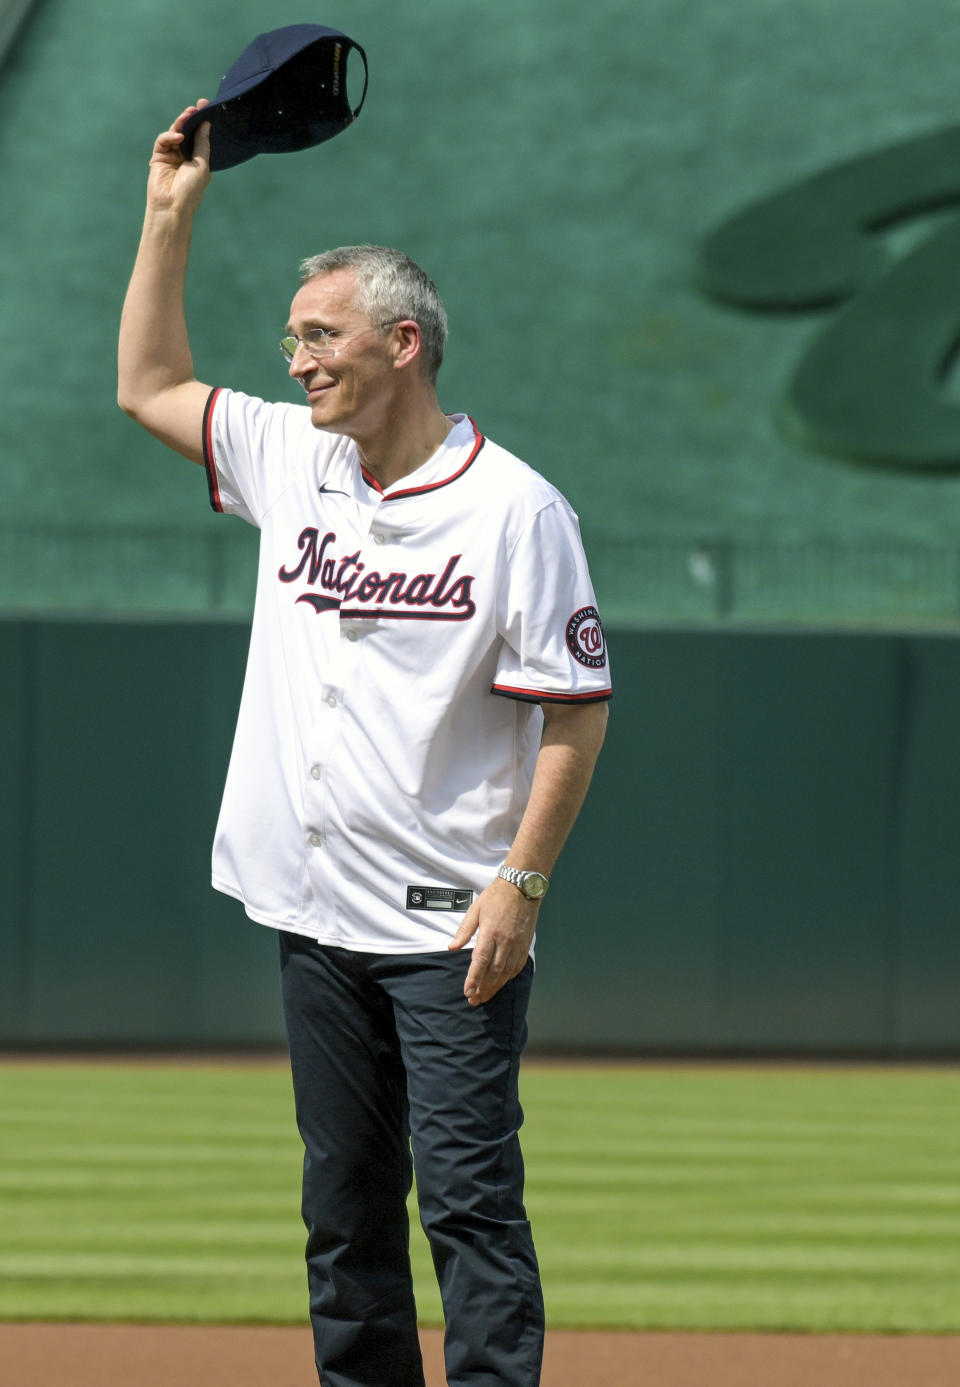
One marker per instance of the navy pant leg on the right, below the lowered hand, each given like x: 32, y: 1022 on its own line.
x: 463, y: 1067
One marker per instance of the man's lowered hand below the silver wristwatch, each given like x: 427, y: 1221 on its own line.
x: 504, y: 923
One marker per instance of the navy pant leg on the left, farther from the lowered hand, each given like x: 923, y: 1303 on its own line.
x: 353, y: 1116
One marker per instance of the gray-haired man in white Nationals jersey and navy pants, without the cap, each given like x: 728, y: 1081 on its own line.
x: 424, y: 705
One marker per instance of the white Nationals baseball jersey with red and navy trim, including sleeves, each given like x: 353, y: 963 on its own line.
x: 403, y: 641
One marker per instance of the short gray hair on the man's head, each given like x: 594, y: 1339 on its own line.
x: 391, y: 286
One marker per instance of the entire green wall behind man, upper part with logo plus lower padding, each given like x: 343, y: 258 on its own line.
x: 701, y: 267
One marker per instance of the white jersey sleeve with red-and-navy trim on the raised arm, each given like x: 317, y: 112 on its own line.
x: 249, y: 446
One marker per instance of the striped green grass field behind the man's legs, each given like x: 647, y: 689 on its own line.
x: 662, y: 1198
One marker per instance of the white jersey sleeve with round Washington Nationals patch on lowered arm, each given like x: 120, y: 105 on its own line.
x: 553, y: 648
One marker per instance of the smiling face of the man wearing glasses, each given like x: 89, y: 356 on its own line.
x: 350, y: 385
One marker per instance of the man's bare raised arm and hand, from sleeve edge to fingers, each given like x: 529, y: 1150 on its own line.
x: 156, y: 381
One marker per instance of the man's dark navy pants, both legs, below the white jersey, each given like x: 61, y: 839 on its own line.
x: 386, y: 1055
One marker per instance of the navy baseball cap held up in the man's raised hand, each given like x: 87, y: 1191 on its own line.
x: 286, y: 92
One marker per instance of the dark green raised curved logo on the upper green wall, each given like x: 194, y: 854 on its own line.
x: 873, y: 385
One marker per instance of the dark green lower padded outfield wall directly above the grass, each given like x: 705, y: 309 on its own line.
x: 766, y: 863
